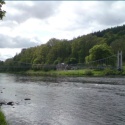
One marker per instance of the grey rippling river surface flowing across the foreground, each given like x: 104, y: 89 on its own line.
x: 63, y: 101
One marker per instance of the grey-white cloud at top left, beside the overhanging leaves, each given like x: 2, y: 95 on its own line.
x: 23, y: 10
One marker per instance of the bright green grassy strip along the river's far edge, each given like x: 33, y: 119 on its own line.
x: 77, y: 73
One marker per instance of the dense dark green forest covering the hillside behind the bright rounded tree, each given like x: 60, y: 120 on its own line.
x: 66, y: 51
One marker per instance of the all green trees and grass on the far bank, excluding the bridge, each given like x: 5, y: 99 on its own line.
x: 80, y: 50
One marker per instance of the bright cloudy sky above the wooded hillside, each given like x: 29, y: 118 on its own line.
x: 32, y: 23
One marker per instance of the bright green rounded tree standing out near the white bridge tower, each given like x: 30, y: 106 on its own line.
x: 99, y: 52
